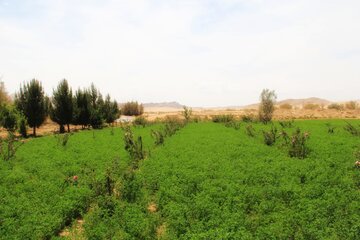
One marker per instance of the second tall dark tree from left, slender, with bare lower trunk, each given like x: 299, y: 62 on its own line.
x: 61, y: 106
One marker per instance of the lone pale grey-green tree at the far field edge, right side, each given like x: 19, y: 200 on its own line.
x: 266, y: 107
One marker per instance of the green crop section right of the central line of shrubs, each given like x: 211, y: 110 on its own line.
x: 224, y: 185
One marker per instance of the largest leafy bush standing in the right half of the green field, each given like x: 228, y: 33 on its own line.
x: 298, y: 145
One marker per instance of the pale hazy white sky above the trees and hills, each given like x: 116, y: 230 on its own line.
x: 199, y: 52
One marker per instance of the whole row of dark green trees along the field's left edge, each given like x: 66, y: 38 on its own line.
x: 86, y: 107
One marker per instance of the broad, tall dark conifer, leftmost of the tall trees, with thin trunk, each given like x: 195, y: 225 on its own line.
x: 31, y: 102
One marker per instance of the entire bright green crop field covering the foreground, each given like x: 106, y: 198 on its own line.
x: 206, y: 181
